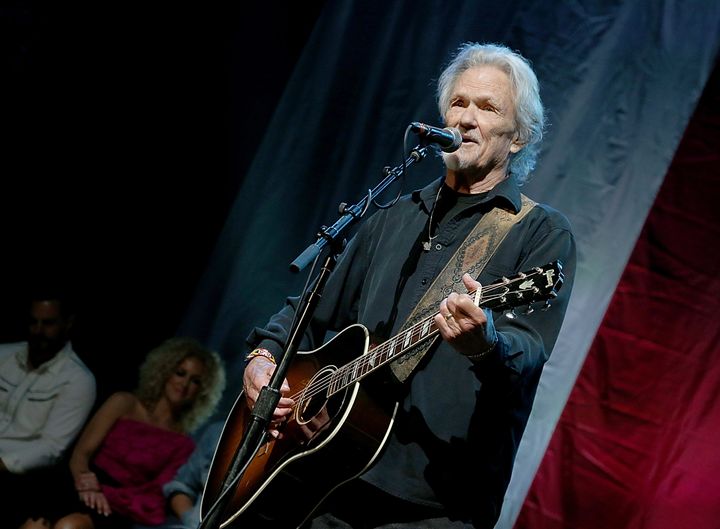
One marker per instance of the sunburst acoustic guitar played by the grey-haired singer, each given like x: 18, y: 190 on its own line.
x: 337, y: 430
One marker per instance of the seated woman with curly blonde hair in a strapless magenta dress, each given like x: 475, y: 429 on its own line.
x: 137, y: 441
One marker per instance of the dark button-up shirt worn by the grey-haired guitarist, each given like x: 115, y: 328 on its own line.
x: 459, y: 423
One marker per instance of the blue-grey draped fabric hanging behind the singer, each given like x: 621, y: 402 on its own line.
x: 619, y: 79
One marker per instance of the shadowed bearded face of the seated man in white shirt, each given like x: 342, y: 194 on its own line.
x: 48, y: 328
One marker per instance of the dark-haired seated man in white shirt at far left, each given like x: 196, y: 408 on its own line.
x: 46, y: 394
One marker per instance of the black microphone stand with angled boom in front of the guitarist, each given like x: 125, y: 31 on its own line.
x: 328, y: 239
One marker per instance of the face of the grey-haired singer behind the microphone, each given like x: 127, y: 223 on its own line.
x: 482, y: 107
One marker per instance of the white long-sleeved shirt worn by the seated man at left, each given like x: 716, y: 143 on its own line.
x: 41, y: 410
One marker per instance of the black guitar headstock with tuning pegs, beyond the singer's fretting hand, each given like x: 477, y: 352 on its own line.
x: 524, y: 289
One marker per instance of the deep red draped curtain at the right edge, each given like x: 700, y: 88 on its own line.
x: 637, y: 444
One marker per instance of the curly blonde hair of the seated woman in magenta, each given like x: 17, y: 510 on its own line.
x: 160, y: 364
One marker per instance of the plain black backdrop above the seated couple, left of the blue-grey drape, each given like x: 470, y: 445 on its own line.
x: 125, y: 131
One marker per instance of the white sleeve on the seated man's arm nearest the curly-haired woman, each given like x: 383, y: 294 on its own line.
x: 67, y: 417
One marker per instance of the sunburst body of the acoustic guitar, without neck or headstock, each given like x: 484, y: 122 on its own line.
x: 327, y: 442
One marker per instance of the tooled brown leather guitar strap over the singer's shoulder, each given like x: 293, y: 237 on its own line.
x: 471, y: 257
